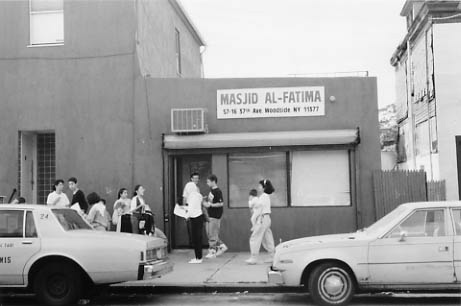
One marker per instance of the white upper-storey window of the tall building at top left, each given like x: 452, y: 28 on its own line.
x: 46, y: 22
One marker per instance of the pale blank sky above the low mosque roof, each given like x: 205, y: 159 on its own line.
x: 282, y: 38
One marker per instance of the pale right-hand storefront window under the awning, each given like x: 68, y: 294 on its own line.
x: 320, y: 178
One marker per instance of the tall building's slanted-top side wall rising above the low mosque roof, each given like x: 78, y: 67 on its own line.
x: 157, y: 21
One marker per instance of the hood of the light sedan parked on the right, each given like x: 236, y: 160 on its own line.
x: 326, y: 240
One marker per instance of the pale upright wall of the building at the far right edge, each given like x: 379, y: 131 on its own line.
x: 447, y: 62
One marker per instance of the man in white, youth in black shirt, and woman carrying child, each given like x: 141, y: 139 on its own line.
x: 209, y: 210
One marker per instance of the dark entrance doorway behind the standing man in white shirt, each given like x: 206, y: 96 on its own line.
x: 184, y: 166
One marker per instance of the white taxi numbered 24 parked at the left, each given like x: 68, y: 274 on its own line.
x: 59, y: 256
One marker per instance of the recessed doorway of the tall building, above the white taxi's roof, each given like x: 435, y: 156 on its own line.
x: 37, y: 166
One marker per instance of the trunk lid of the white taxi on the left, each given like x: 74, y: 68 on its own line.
x: 119, y: 238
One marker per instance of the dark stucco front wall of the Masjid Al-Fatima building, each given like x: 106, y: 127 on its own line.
x: 356, y: 106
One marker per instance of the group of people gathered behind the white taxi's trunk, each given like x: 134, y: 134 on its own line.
x: 129, y: 215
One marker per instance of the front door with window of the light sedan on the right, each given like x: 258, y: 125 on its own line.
x: 418, y: 251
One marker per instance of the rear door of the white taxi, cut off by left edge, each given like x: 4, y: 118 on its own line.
x: 18, y: 243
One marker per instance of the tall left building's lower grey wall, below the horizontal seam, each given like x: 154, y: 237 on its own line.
x: 90, y: 112
